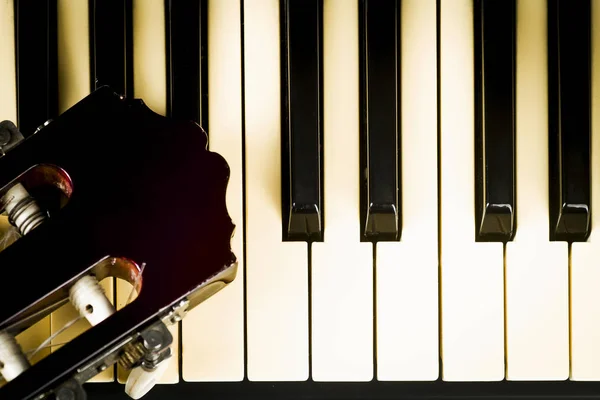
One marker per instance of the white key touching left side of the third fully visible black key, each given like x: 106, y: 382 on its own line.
x: 472, y: 285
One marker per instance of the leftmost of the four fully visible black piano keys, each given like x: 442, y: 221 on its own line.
x: 301, y: 91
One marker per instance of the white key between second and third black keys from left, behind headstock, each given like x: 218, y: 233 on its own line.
x: 149, y: 74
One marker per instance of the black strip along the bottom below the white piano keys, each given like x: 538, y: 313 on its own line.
x: 374, y: 390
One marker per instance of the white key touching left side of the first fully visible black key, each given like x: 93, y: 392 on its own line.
x: 276, y: 272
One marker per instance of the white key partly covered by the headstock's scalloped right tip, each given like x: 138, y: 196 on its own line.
x: 213, y: 333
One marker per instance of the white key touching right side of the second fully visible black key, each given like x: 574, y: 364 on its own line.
x: 407, y: 271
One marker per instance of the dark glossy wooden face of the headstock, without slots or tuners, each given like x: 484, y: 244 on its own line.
x: 154, y: 195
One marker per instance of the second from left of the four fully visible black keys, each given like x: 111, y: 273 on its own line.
x: 380, y: 119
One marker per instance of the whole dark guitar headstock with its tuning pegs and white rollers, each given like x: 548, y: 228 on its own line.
x: 109, y: 189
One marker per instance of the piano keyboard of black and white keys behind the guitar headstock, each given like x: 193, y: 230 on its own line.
x: 411, y: 183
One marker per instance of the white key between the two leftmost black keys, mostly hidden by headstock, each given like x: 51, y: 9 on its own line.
x: 74, y: 85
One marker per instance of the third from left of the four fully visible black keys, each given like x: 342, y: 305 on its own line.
x: 495, y: 181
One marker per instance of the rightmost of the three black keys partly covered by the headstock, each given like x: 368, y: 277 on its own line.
x: 187, y: 66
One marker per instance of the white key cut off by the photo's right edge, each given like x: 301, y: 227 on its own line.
x: 585, y: 257
